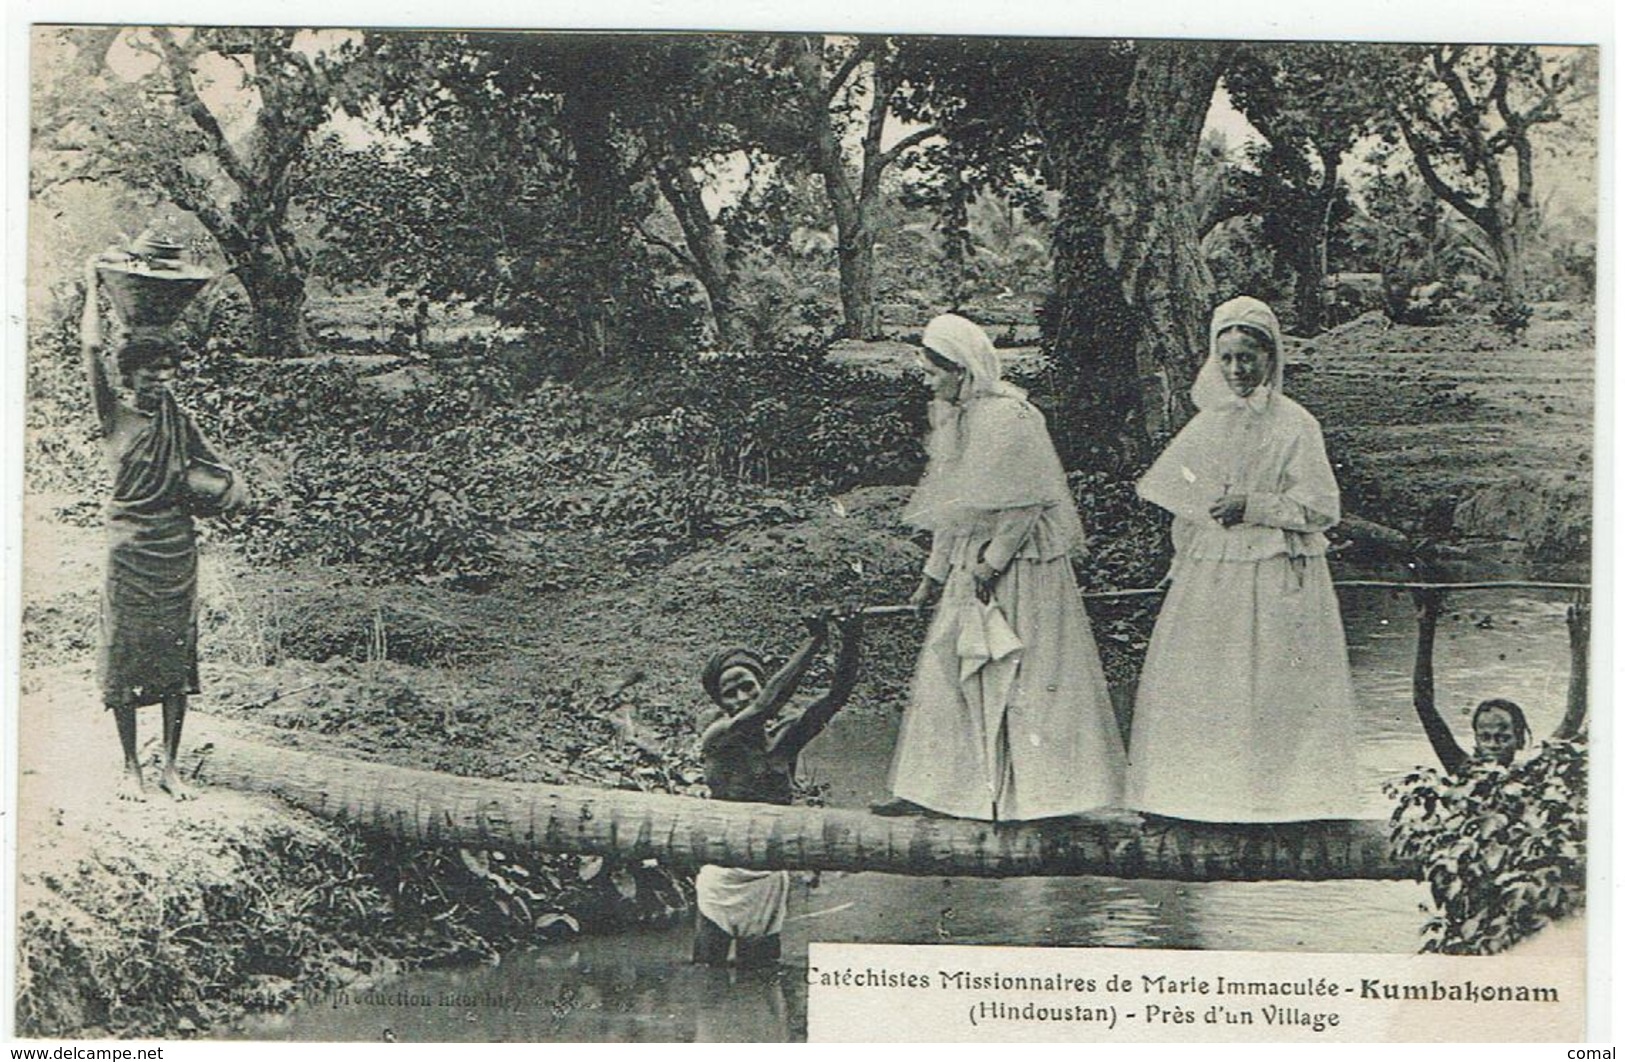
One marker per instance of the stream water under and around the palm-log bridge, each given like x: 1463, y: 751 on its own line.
x: 641, y: 988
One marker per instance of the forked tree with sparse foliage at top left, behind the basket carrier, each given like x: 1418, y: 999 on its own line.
x: 217, y: 121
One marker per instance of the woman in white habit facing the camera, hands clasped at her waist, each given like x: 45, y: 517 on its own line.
x: 1246, y: 707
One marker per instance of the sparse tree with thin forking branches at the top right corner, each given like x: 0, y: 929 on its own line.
x: 1470, y: 116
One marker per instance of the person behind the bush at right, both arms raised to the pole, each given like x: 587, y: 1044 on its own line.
x: 1499, y: 727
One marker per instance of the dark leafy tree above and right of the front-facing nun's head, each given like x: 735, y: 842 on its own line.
x: 1312, y: 103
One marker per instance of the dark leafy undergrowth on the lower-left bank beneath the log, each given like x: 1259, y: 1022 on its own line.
x: 298, y: 918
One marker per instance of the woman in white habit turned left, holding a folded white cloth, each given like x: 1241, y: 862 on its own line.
x: 1008, y: 717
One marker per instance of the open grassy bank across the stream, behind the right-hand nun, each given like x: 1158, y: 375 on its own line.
x: 1455, y: 433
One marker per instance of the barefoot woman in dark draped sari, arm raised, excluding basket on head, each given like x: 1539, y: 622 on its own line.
x: 163, y: 473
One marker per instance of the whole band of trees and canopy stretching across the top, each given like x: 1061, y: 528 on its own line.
x: 618, y: 192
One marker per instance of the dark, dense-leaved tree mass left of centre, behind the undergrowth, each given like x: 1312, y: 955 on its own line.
x: 513, y: 183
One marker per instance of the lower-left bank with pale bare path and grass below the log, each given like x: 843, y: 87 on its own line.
x: 168, y: 920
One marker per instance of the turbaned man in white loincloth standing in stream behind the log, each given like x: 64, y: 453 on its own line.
x: 750, y: 748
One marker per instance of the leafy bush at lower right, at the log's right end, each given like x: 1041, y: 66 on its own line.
x: 1502, y: 850
